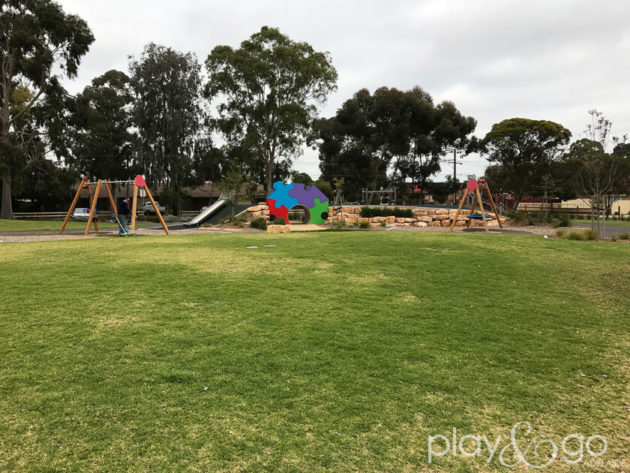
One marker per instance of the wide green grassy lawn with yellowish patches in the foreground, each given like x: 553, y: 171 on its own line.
x: 328, y: 352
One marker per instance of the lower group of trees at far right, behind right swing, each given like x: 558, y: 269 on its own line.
x: 534, y: 158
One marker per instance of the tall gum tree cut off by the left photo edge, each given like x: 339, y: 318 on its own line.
x: 37, y: 39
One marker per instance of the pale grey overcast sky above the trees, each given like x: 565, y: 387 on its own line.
x: 496, y: 59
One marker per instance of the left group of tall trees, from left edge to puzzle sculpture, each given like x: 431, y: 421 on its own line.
x: 248, y: 112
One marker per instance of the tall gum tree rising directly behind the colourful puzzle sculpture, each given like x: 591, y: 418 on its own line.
x: 266, y: 93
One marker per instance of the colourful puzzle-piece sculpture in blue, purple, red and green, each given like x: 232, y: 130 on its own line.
x: 286, y: 196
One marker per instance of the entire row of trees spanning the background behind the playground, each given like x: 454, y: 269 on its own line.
x: 244, y: 117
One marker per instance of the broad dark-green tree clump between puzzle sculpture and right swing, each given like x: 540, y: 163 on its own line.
x: 403, y: 130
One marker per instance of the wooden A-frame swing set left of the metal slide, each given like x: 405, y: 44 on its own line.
x: 94, y: 193
